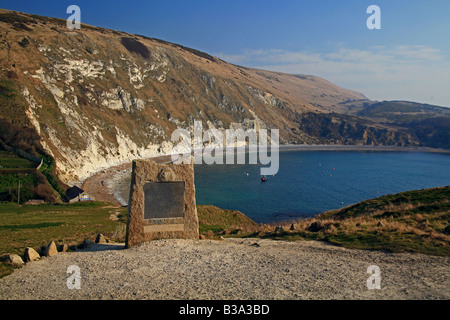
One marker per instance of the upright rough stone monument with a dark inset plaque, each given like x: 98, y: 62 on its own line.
x: 162, y: 203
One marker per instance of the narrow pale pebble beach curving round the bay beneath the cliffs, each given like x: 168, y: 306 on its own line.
x: 108, y: 191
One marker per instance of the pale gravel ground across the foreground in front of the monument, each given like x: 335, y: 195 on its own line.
x: 229, y: 269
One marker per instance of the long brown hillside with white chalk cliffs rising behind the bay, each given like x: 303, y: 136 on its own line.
x: 97, y: 97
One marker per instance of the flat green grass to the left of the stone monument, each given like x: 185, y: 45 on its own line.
x: 36, y: 226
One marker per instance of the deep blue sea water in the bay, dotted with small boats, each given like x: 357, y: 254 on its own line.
x: 312, y: 182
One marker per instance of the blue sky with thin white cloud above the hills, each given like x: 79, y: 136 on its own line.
x: 407, y: 59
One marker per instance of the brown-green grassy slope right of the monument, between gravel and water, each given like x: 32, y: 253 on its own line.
x: 413, y: 221
